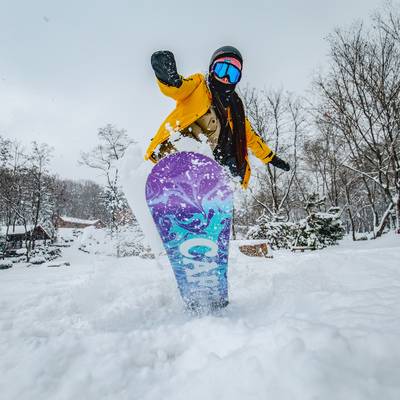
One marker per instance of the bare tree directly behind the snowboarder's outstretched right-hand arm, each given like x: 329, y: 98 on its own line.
x: 280, y: 119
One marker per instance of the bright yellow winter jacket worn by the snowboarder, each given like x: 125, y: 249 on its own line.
x: 193, y: 99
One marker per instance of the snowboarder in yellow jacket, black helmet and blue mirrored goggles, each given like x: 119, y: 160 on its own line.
x: 209, y: 105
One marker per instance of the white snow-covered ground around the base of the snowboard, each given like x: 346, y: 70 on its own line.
x: 318, y: 325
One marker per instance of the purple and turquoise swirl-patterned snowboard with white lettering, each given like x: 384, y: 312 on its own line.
x: 190, y: 199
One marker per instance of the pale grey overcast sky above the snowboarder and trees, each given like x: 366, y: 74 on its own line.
x: 70, y: 67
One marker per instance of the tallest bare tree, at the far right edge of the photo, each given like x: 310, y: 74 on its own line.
x: 360, y: 100
